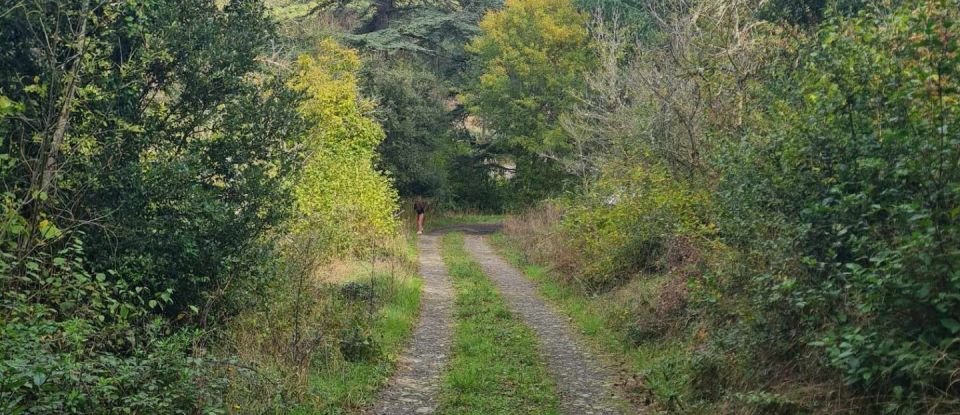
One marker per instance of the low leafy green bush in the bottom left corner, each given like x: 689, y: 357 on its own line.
x: 76, y: 342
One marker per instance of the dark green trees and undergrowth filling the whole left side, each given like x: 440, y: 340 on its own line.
x: 146, y: 156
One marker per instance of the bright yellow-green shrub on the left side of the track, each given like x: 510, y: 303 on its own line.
x: 340, y: 194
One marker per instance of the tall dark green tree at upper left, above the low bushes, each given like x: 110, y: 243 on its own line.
x: 167, y: 103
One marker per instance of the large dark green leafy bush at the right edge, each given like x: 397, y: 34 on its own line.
x: 846, y: 201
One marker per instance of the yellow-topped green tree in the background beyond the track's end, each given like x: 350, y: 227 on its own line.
x: 531, y: 57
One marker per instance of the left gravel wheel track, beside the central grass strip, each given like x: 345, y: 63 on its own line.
x: 413, y: 389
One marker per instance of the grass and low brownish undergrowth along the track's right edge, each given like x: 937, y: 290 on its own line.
x: 674, y: 358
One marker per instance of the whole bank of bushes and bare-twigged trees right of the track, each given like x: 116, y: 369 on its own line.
x: 776, y: 186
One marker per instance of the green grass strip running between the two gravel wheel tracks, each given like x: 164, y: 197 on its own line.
x: 495, y: 367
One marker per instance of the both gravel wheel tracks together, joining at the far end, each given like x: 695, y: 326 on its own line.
x: 584, y: 385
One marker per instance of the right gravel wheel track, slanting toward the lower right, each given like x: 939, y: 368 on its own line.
x: 584, y: 385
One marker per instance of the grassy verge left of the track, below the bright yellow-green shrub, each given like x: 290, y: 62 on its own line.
x: 327, y: 342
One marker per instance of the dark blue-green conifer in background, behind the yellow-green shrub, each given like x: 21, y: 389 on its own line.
x: 415, y: 64
